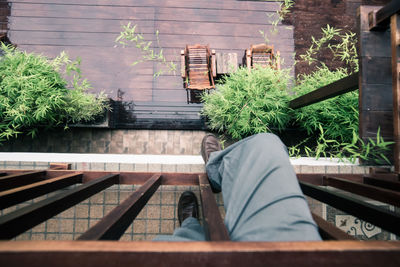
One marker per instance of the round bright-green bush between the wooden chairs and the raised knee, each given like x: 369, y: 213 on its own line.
x: 249, y: 102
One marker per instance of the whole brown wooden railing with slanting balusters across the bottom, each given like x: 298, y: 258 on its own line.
x: 16, y: 188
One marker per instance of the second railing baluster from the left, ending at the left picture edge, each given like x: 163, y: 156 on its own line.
x: 20, y: 194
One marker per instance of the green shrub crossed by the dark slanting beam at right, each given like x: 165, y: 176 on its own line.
x: 338, y: 116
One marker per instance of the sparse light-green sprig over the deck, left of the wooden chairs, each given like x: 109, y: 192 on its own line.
x: 130, y: 35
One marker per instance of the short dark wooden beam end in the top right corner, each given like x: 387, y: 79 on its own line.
x: 380, y: 20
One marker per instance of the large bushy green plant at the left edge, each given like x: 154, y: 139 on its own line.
x: 34, y: 93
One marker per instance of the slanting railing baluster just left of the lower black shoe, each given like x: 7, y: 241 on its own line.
x: 115, y: 223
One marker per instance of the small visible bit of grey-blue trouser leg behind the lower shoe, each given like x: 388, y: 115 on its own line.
x: 190, y: 230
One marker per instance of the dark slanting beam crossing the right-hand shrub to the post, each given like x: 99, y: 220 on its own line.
x: 347, y: 84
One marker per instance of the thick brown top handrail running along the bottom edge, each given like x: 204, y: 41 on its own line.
x: 145, y: 253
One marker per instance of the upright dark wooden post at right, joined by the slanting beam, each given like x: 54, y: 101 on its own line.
x: 375, y: 94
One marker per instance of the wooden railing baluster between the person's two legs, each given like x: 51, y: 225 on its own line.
x: 213, y: 225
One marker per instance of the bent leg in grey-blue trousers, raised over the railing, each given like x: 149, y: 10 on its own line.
x: 262, y: 198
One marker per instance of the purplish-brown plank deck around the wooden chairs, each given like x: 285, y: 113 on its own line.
x: 88, y: 29
